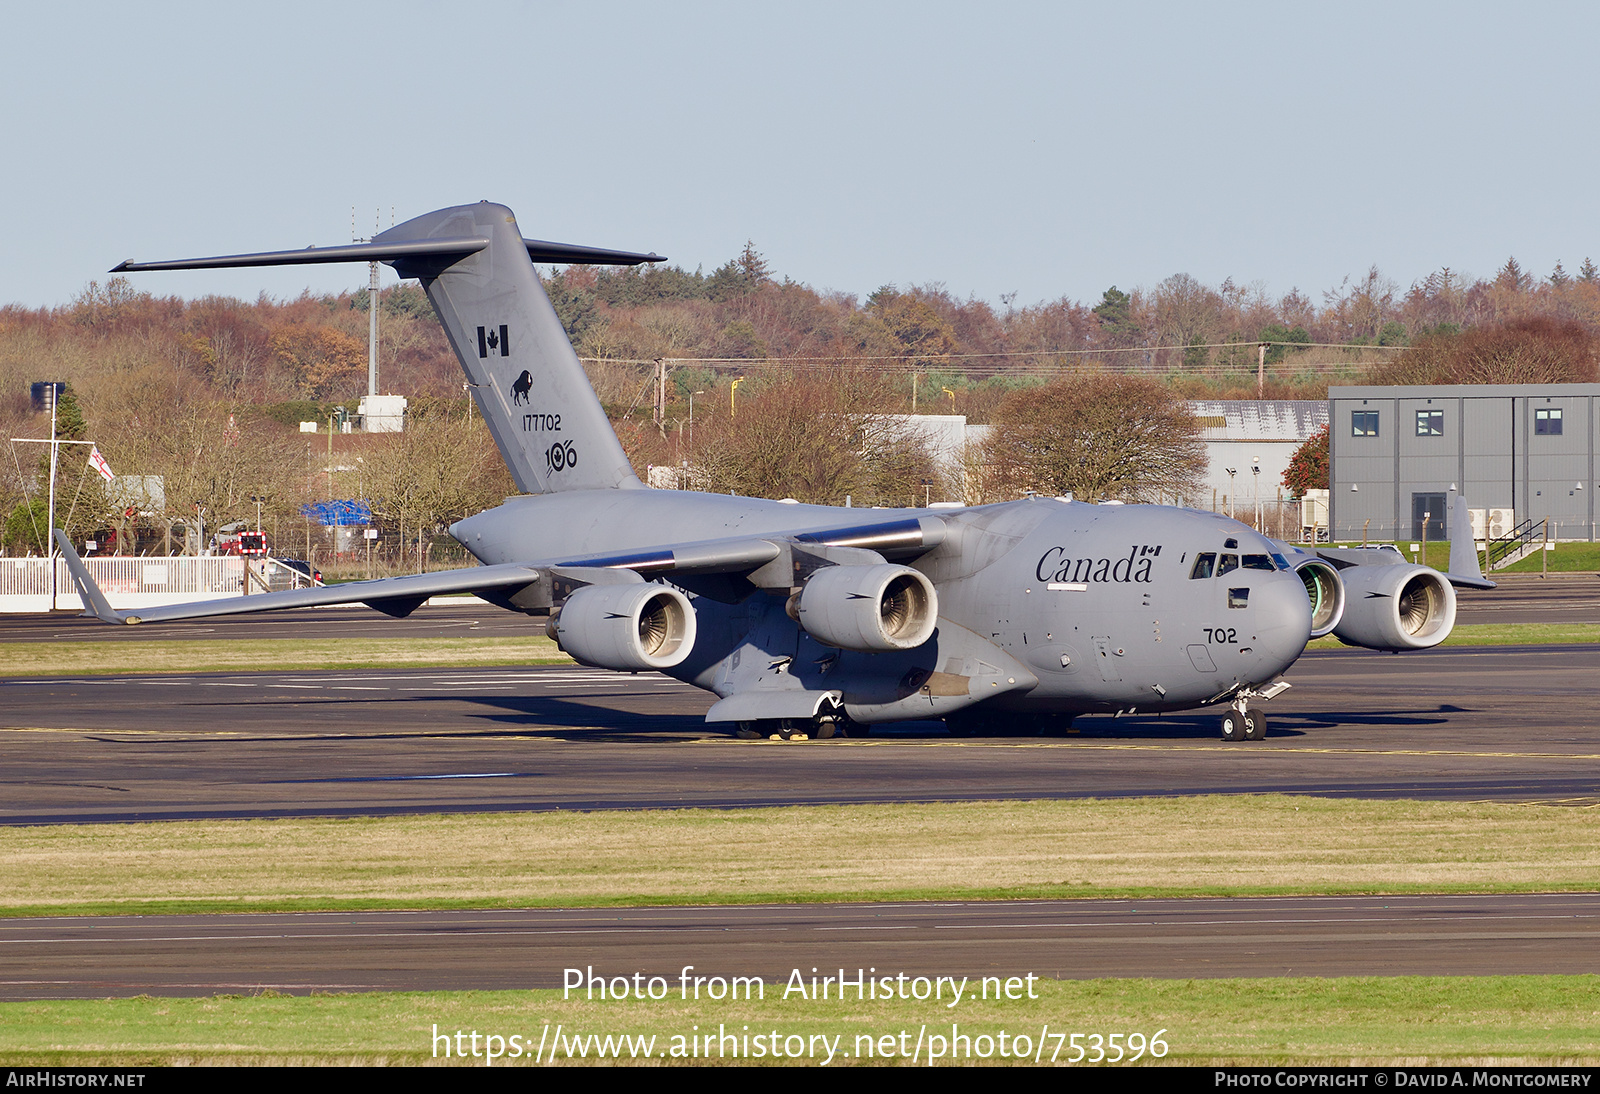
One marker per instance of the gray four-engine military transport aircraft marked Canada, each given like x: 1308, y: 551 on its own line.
x: 812, y: 620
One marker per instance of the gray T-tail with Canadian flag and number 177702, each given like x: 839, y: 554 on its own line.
x: 479, y: 274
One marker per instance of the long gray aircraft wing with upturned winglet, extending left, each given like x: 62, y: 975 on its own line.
x: 508, y: 585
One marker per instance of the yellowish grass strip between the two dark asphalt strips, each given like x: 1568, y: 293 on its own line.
x: 985, y: 850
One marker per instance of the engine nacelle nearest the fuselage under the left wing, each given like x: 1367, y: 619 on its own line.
x: 870, y: 609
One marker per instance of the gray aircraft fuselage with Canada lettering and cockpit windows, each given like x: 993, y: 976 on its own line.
x: 1086, y: 609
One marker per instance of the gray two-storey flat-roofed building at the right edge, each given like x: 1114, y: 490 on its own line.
x: 1526, y: 449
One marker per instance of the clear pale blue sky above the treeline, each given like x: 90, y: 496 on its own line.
x: 1036, y: 150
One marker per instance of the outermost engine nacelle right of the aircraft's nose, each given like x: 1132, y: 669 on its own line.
x: 1396, y: 607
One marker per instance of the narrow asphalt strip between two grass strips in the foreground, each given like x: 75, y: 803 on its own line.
x: 1055, y: 940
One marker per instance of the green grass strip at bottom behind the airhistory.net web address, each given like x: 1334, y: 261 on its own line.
x: 1441, y: 1021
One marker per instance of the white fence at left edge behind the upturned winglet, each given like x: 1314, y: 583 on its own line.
x: 127, y: 583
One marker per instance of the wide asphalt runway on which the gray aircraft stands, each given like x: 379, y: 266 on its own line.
x: 1518, y: 724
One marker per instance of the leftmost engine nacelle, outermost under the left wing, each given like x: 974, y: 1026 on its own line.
x: 631, y: 628
